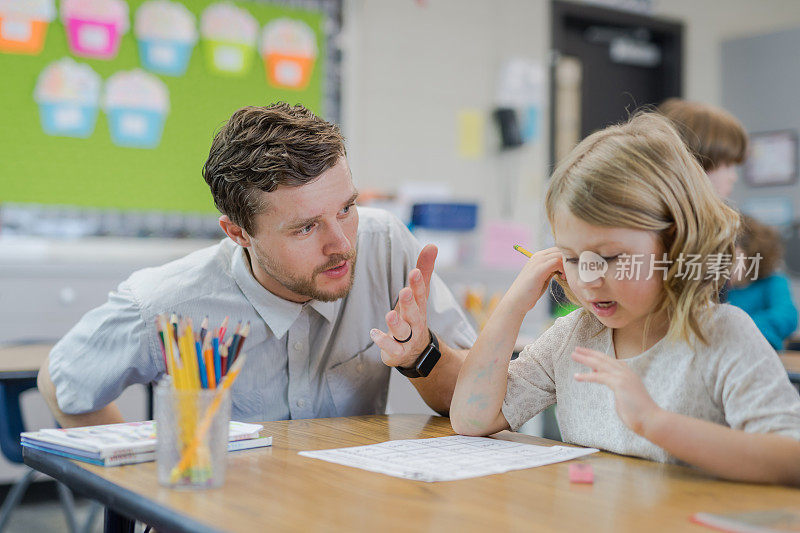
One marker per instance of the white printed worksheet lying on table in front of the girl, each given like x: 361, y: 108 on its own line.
x: 448, y: 458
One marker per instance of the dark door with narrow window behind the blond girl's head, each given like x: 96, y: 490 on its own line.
x: 622, y: 61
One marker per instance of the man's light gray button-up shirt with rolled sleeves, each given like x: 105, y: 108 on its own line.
x: 303, y: 360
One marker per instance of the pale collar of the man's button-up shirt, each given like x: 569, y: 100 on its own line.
x: 279, y: 314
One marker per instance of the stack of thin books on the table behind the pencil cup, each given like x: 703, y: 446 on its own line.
x: 127, y: 443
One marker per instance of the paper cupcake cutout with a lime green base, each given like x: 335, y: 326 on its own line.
x: 229, y: 38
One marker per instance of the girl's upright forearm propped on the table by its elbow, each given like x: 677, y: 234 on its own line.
x: 481, y: 386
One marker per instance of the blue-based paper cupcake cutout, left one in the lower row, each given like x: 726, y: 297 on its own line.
x: 68, y: 93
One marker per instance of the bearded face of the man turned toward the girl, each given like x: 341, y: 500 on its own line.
x: 304, y: 245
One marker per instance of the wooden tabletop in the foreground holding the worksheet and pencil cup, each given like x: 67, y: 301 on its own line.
x: 277, y: 489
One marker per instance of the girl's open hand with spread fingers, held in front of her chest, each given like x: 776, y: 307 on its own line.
x: 634, y: 404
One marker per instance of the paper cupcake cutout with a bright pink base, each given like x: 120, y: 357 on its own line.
x: 94, y: 27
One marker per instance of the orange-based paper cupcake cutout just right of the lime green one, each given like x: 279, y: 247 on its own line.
x: 289, y: 50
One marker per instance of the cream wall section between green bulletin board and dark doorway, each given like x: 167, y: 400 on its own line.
x: 411, y: 67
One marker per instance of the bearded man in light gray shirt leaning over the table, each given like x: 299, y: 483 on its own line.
x: 313, y: 274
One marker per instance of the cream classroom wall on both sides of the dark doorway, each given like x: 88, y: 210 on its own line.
x: 411, y: 66
